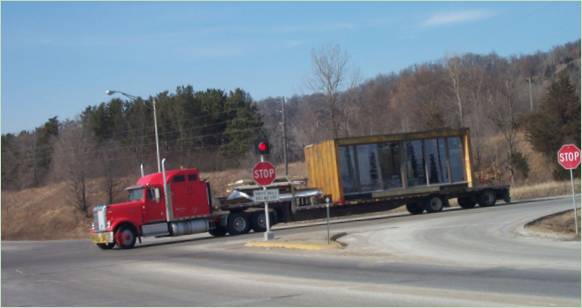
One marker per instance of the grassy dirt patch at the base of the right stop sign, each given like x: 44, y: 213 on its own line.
x: 559, y: 225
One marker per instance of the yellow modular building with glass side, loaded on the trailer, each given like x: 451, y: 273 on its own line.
x: 375, y: 167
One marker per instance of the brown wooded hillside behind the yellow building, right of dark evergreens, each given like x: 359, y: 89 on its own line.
x: 536, y: 96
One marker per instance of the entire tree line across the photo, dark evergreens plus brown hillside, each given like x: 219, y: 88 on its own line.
x: 496, y: 97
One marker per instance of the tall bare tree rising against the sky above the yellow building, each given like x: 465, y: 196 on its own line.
x: 330, y: 64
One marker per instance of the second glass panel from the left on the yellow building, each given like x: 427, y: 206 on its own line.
x: 368, y: 167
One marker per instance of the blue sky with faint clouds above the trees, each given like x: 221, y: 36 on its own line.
x: 58, y: 58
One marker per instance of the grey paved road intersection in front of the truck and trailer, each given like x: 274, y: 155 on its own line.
x: 456, y: 258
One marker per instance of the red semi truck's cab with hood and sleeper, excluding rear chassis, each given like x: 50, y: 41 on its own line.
x: 150, y: 211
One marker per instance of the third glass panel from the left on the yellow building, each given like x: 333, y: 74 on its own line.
x: 389, y: 156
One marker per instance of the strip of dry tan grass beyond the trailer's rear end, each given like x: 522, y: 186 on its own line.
x: 546, y: 189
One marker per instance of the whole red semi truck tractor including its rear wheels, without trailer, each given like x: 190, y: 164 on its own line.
x: 185, y: 209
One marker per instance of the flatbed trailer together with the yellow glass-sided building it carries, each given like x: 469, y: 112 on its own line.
x: 422, y: 170
